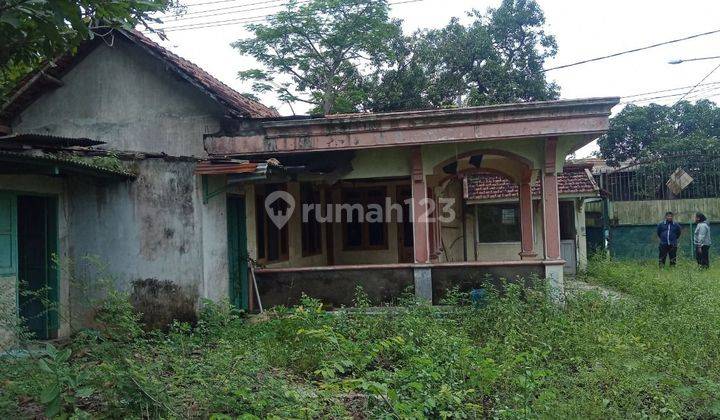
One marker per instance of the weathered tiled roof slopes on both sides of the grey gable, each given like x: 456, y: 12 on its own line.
x: 47, y: 77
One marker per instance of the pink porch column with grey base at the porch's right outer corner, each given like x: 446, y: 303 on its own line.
x: 551, y: 224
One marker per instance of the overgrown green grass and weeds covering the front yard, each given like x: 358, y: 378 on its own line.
x: 653, y: 354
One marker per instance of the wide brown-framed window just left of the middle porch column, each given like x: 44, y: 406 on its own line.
x: 365, y: 234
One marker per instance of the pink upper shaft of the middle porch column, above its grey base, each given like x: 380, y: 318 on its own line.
x: 421, y: 239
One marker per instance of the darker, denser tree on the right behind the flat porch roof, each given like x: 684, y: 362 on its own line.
x: 497, y: 58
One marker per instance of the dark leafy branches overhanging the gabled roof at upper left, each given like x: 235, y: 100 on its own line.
x: 34, y: 30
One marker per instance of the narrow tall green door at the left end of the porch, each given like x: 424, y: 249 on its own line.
x: 237, y: 252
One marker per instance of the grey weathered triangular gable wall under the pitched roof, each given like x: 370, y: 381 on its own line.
x: 126, y: 98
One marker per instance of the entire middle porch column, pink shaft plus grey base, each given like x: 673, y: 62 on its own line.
x: 421, y: 239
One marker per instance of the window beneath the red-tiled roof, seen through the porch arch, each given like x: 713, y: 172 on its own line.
x: 498, y: 223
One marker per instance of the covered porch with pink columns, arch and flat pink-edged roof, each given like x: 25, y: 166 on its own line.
x: 404, y: 171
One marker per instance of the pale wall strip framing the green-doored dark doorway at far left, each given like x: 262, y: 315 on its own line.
x: 32, y: 184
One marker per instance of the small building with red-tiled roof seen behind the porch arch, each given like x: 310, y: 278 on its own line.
x: 494, y: 215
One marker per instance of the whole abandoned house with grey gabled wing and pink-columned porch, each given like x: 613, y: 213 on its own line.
x: 132, y: 158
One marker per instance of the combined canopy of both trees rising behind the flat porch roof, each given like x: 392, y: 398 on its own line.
x: 345, y: 56
